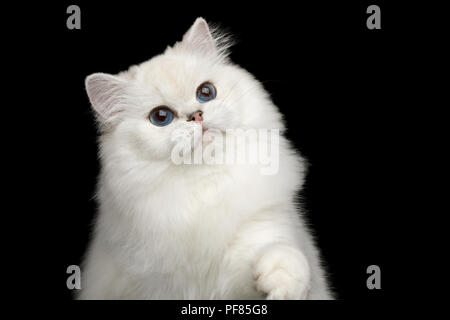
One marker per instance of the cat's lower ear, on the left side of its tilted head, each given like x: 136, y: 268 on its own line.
x: 106, y: 93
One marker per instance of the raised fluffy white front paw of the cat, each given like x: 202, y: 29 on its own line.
x: 282, y: 273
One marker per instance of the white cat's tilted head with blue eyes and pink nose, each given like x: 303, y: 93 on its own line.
x: 190, y: 85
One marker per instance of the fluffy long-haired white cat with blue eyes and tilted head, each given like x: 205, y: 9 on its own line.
x: 169, y: 231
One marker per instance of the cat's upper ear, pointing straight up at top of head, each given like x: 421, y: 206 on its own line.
x: 199, y: 38
